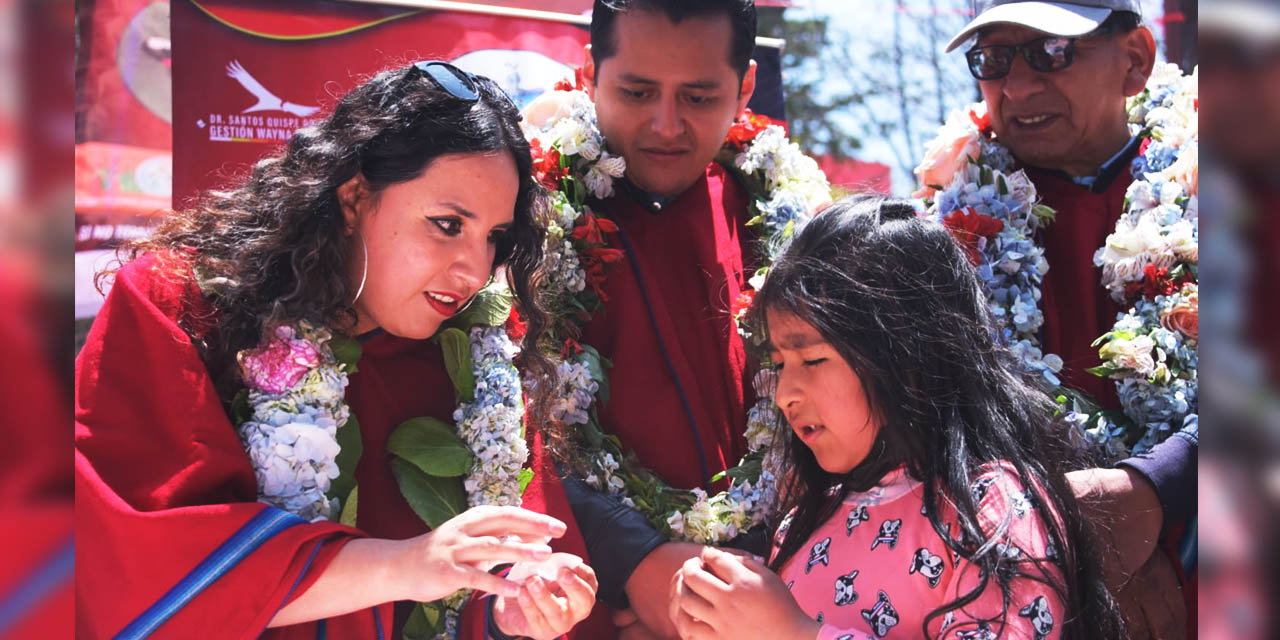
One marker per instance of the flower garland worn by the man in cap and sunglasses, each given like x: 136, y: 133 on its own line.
x: 1149, y: 262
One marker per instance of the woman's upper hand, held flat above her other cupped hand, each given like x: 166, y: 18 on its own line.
x: 459, y: 554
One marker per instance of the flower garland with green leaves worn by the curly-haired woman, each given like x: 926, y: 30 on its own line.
x: 304, y: 442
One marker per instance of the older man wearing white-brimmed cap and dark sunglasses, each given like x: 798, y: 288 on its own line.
x: 1055, y: 77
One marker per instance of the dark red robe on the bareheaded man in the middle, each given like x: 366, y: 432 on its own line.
x: 692, y: 258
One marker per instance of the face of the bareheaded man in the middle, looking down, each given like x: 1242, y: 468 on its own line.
x: 668, y: 98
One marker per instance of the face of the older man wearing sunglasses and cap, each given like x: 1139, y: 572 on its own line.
x: 1071, y: 120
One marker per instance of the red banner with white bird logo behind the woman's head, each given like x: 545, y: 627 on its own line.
x: 248, y: 74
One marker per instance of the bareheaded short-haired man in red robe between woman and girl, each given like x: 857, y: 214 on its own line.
x: 669, y: 79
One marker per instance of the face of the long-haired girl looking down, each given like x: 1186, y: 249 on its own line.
x: 821, y: 395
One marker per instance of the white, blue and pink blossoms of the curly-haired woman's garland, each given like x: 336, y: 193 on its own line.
x: 296, y: 399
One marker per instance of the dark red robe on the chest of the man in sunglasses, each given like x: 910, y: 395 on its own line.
x: 1078, y: 310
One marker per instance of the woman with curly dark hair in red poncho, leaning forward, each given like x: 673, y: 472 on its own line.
x: 217, y: 380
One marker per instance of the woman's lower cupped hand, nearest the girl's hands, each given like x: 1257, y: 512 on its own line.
x: 557, y: 595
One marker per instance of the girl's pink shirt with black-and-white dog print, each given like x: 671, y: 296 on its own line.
x: 877, y: 568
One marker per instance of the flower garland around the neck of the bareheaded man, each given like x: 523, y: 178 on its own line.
x: 787, y: 188
